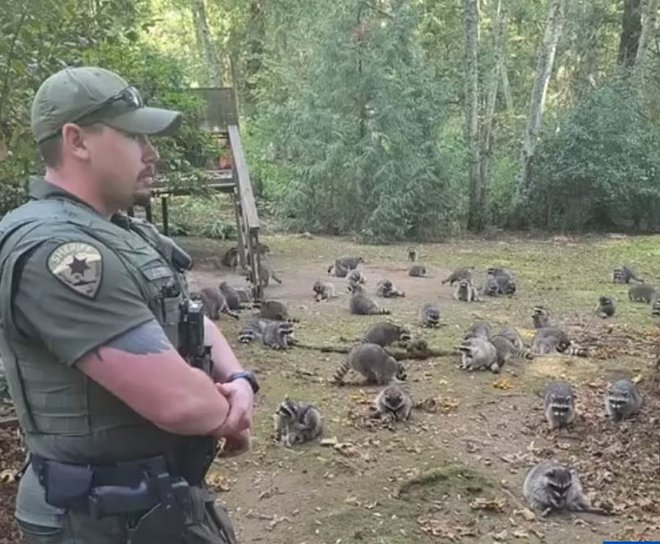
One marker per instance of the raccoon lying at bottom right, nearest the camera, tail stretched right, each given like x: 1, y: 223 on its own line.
x: 550, y: 486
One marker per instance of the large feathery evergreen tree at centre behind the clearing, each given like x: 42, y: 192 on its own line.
x: 353, y: 144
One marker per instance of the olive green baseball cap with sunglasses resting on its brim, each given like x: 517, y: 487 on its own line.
x: 90, y: 94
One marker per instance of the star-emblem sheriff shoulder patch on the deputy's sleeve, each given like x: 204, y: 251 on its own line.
x: 78, y: 266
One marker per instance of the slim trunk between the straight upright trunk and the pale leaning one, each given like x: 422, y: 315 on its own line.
x: 491, y: 99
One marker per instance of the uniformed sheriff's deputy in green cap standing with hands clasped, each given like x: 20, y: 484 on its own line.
x: 119, y: 421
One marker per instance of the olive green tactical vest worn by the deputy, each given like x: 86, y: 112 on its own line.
x: 85, y: 422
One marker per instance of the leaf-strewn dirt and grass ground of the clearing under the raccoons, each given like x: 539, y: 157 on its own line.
x: 454, y: 473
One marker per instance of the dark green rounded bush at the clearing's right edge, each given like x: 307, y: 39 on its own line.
x: 601, y: 166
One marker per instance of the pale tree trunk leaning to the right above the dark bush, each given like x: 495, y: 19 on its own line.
x: 543, y: 73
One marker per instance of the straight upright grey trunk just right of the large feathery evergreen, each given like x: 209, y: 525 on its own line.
x: 475, y: 218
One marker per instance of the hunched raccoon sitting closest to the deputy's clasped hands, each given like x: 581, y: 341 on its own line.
x: 297, y: 422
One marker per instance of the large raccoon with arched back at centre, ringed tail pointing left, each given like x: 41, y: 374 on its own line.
x: 374, y: 363
